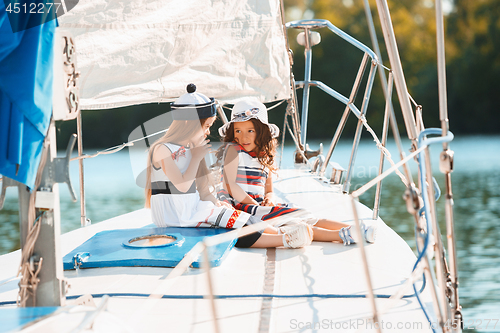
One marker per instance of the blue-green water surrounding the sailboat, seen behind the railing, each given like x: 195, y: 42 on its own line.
x: 111, y: 190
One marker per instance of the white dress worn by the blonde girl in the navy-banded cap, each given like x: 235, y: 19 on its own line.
x: 172, y: 208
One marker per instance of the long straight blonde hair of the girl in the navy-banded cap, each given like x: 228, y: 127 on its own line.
x: 179, y: 130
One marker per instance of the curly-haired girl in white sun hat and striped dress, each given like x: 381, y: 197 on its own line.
x: 248, y: 161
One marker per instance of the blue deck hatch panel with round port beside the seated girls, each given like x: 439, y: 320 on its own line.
x: 108, y: 249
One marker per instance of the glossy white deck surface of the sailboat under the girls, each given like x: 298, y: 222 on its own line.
x: 322, y: 268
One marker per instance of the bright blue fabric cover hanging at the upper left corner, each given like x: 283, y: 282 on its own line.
x: 25, y: 96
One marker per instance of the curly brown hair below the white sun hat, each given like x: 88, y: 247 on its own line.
x: 265, y: 144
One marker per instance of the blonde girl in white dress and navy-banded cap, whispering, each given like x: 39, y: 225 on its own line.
x: 177, y: 187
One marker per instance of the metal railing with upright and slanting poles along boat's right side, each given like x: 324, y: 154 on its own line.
x: 445, y: 295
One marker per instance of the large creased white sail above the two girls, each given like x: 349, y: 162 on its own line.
x: 136, y: 52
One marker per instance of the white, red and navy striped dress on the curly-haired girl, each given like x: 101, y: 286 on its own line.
x: 252, y: 177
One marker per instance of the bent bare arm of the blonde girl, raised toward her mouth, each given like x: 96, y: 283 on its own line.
x: 163, y: 156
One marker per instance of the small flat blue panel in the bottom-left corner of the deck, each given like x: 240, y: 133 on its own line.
x: 14, y: 319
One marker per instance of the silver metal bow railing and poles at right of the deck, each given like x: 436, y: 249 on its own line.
x: 420, y: 151
